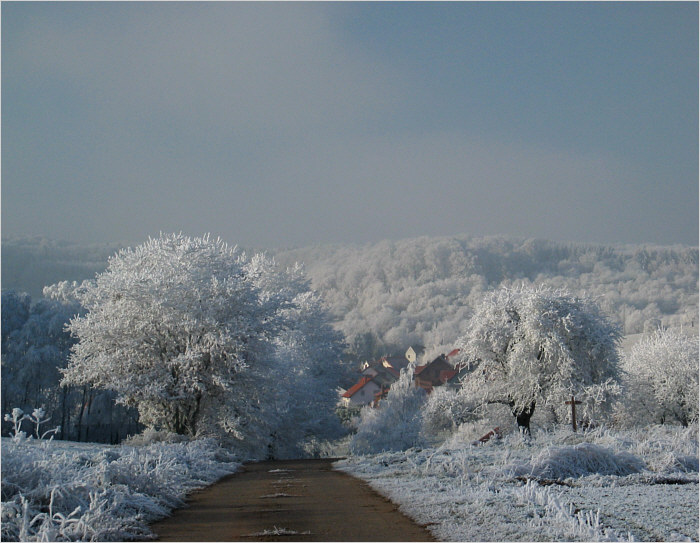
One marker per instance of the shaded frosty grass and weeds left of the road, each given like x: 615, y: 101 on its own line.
x: 65, y: 491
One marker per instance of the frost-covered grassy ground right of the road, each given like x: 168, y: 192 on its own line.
x: 635, y: 485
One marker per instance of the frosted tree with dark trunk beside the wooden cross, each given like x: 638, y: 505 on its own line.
x: 527, y: 347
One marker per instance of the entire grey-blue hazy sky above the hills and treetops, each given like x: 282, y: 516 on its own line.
x: 282, y: 124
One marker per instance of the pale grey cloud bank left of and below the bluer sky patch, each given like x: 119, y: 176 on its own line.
x: 265, y: 124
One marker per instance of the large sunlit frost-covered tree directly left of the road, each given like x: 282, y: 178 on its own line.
x: 169, y: 326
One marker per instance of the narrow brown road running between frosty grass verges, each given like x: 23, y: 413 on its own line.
x: 294, y: 500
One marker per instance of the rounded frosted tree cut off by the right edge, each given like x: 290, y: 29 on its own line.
x: 662, y: 378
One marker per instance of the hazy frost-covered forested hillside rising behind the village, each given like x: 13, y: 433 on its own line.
x: 393, y: 293
